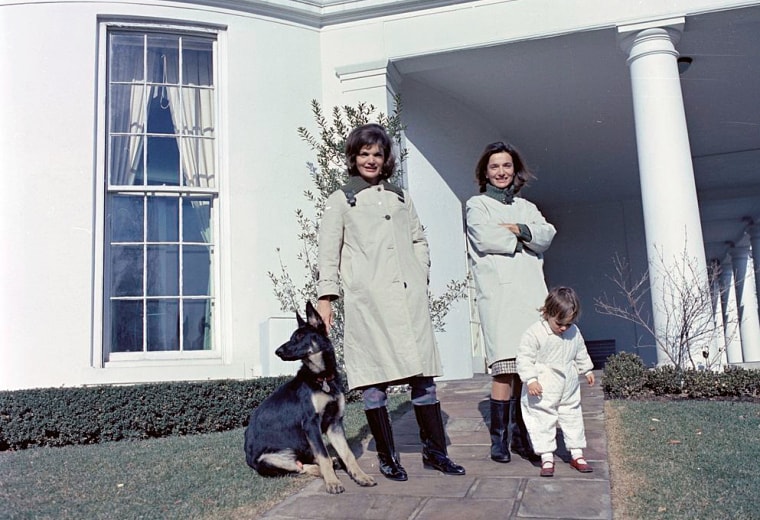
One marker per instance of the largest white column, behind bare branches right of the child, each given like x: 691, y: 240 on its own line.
x: 675, y: 248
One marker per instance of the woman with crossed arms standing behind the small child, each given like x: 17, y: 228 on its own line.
x: 507, y: 237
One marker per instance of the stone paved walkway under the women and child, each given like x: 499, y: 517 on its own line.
x: 489, y: 490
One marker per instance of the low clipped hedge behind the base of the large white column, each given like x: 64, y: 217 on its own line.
x: 626, y: 377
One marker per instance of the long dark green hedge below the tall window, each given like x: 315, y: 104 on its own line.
x: 88, y: 415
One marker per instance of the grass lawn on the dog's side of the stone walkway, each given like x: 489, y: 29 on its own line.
x: 193, y: 477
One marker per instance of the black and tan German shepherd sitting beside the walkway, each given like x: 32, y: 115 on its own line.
x: 284, y: 433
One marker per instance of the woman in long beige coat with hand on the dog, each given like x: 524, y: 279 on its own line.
x: 371, y: 244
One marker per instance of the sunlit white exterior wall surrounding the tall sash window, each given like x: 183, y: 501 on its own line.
x: 269, y: 74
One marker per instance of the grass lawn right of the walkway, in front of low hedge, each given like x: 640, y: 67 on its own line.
x: 684, y: 459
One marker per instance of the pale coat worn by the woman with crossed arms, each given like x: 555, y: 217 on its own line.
x: 510, y: 285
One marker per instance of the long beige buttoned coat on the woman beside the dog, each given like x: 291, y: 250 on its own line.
x: 380, y: 252
